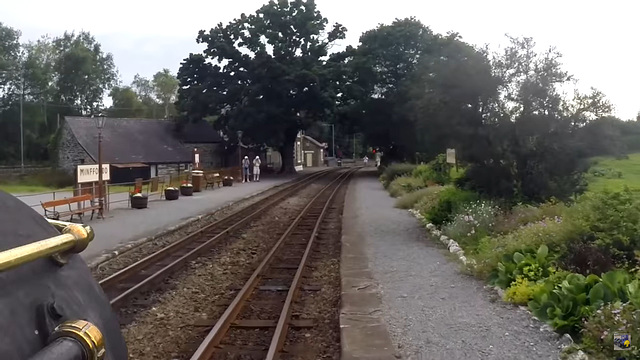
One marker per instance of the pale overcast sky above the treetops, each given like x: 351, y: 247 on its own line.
x: 599, y: 39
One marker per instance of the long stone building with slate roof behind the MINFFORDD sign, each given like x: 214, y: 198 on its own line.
x: 137, y: 148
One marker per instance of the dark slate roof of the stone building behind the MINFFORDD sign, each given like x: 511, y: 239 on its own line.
x: 148, y: 141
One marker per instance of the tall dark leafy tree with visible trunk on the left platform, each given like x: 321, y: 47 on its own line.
x: 266, y: 74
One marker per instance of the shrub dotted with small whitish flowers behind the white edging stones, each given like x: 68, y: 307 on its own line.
x: 472, y: 222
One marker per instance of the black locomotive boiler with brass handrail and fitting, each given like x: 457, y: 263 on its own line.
x: 51, y: 308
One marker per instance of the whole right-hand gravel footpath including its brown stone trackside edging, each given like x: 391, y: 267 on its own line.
x: 403, y: 297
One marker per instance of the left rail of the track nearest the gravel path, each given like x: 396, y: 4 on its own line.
x: 208, y: 346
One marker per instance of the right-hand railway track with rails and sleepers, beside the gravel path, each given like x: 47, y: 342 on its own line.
x: 260, y: 329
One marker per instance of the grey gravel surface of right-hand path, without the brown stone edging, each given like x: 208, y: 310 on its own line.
x: 432, y: 309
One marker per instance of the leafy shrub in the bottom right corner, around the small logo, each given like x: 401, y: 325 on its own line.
x: 598, y: 331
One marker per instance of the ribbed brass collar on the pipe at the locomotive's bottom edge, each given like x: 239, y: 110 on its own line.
x: 87, y: 334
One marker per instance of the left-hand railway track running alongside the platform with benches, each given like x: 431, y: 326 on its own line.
x: 154, y: 268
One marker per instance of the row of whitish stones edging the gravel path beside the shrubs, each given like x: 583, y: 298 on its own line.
x: 455, y: 248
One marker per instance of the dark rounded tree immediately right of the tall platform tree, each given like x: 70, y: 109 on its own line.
x: 374, y: 81
